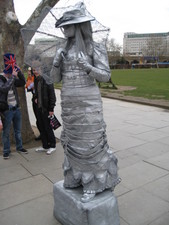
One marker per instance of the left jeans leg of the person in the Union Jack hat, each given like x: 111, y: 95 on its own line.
x: 8, y: 115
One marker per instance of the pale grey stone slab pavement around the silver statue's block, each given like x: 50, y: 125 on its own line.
x: 139, y: 137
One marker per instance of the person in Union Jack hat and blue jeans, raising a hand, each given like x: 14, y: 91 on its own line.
x: 9, y: 103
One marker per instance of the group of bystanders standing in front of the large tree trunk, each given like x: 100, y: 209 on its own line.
x: 43, y: 103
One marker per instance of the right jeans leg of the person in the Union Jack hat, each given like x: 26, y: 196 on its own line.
x: 17, y: 123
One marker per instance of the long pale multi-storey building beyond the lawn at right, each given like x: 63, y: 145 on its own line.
x: 146, y: 44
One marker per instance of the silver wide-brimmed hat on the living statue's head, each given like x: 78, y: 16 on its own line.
x: 73, y: 17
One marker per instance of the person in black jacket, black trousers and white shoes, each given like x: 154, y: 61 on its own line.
x: 45, y: 99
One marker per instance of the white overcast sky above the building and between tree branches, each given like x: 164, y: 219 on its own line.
x: 145, y: 16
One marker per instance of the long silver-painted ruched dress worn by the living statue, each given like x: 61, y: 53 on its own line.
x: 88, y: 160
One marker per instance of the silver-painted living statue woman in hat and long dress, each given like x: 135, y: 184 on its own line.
x: 88, y: 159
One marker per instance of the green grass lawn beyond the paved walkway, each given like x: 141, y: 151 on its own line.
x: 149, y: 83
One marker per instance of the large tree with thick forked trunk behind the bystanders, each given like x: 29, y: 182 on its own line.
x: 11, y: 41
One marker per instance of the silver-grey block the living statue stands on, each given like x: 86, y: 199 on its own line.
x: 69, y: 210
